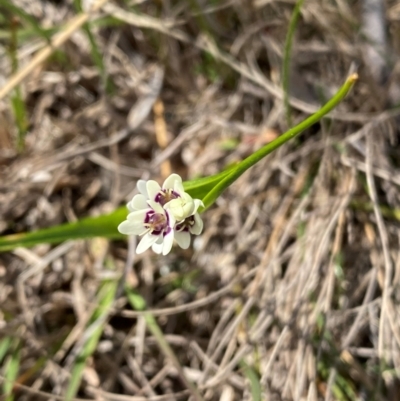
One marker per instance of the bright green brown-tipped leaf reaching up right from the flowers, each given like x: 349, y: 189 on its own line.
x: 267, y: 149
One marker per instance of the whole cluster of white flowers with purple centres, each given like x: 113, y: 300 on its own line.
x: 161, y: 213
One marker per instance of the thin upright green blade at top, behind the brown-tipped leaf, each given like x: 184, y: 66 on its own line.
x: 286, y: 58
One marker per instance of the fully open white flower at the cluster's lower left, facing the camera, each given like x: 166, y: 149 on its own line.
x: 154, y: 223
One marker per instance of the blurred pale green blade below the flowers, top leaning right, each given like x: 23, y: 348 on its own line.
x: 105, y: 297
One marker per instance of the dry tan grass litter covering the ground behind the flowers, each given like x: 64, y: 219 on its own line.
x: 294, y: 285
